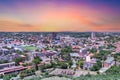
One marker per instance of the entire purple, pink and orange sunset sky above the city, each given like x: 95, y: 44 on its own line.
x: 59, y: 15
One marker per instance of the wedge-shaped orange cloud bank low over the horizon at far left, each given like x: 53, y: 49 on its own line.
x: 14, y: 26
